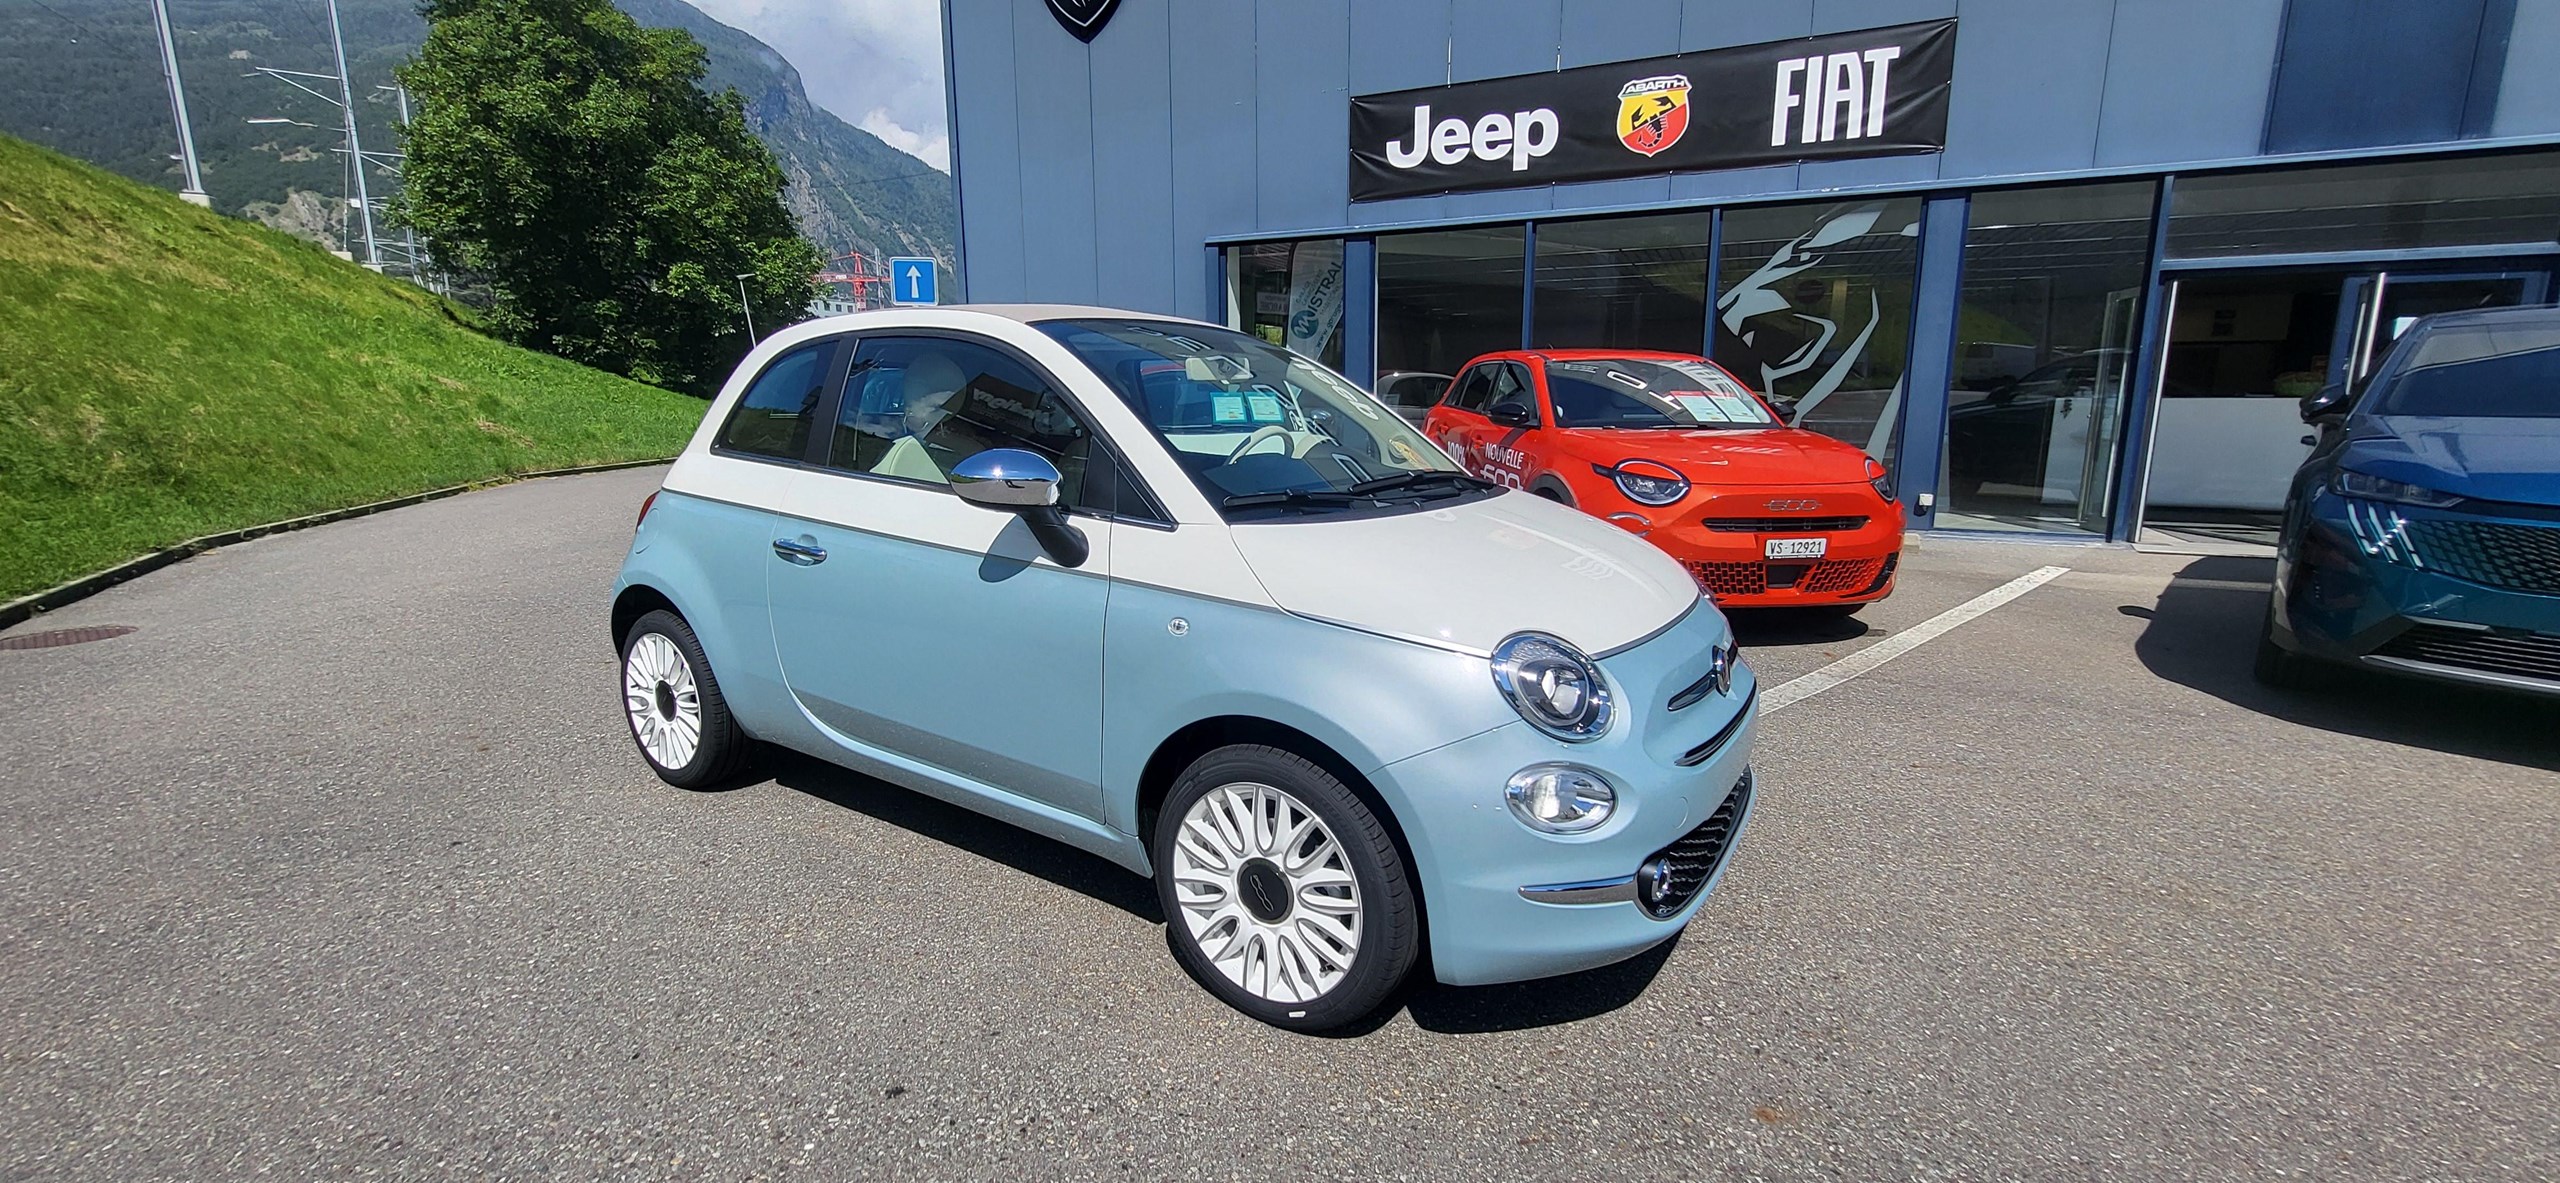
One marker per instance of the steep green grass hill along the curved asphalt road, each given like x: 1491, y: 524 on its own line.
x: 168, y: 373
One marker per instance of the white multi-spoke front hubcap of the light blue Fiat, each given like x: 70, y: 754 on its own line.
x: 1268, y: 892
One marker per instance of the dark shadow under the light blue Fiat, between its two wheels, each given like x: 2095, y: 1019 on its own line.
x: 969, y: 831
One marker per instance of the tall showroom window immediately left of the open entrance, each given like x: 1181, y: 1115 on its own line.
x: 2044, y: 355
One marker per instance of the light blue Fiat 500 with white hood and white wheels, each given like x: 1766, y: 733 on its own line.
x: 1204, y: 608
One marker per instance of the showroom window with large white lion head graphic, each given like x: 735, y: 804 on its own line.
x: 1816, y: 311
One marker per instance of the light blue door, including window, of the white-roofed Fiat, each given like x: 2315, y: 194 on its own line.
x: 928, y: 629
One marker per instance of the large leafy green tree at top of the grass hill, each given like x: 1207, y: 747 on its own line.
x: 572, y: 160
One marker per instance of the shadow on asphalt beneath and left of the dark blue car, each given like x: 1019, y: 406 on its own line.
x: 2203, y: 634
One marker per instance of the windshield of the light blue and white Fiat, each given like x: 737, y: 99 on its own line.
x: 1261, y: 429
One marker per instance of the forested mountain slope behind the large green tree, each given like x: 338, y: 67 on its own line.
x: 83, y: 78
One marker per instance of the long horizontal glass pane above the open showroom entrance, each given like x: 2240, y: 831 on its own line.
x: 2395, y: 206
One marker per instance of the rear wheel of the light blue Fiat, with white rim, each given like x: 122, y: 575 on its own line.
x: 675, y: 708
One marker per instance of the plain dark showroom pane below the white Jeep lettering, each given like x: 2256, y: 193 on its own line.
x: 1445, y: 298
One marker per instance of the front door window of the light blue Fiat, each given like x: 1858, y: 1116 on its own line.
x: 918, y: 406
